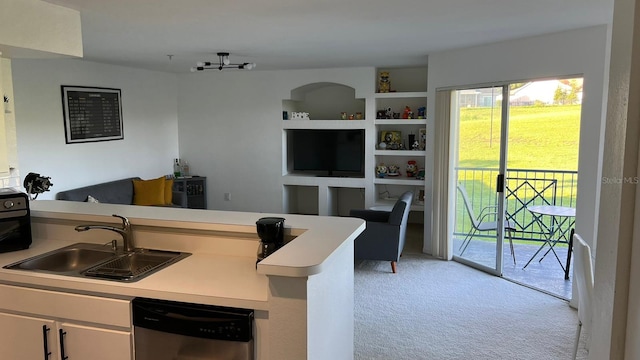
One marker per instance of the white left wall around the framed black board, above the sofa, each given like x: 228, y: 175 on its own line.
x: 149, y: 111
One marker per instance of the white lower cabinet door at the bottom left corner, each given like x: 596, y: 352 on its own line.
x: 28, y: 338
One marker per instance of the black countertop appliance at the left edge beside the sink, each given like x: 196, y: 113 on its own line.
x: 15, y: 221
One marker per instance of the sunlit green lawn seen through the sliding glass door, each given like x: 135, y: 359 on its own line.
x: 540, y: 137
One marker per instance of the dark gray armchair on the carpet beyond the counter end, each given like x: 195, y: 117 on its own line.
x: 384, y: 237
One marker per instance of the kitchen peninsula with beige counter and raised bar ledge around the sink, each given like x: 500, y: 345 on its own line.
x: 302, y: 295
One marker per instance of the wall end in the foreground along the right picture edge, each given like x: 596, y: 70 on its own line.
x: 616, y: 303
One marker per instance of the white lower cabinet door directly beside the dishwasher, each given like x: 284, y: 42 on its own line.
x: 85, y: 342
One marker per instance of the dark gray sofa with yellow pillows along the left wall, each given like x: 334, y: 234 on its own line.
x: 113, y: 192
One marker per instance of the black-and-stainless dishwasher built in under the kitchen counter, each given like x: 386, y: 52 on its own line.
x: 168, y: 330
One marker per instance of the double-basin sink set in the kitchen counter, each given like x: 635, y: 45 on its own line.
x: 100, y: 261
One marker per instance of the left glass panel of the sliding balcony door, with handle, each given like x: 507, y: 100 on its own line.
x: 479, y: 123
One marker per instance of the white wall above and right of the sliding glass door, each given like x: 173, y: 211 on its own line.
x: 577, y: 52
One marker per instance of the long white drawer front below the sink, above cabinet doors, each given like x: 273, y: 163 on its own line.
x: 55, y: 304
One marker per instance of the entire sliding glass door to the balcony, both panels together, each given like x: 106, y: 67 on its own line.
x: 514, y: 149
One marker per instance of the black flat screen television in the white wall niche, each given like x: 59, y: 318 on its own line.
x: 338, y: 152
